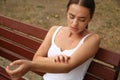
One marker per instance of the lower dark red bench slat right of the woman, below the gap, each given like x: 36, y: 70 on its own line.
x: 101, y: 71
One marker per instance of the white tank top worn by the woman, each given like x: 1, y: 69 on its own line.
x: 75, y: 74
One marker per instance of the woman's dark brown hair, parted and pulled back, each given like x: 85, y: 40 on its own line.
x: 90, y: 4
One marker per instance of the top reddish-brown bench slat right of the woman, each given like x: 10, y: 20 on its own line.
x: 108, y: 57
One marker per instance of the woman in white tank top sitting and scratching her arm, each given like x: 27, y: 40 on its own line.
x: 67, y: 51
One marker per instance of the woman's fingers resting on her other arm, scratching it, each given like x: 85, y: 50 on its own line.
x: 61, y: 58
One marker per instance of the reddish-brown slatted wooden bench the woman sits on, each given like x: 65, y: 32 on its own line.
x: 20, y: 41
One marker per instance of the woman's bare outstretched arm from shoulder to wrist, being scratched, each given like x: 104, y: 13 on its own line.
x: 86, y: 51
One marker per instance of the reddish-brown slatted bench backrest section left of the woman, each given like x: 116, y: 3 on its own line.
x: 19, y: 38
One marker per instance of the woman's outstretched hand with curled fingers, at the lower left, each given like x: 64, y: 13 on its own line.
x: 23, y: 66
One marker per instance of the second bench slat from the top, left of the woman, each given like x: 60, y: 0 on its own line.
x: 19, y: 39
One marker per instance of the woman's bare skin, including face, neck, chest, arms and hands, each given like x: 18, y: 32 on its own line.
x: 78, y: 18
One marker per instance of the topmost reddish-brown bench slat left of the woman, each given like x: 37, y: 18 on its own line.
x: 25, y: 28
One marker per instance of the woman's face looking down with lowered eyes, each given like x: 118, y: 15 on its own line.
x: 78, y: 18
